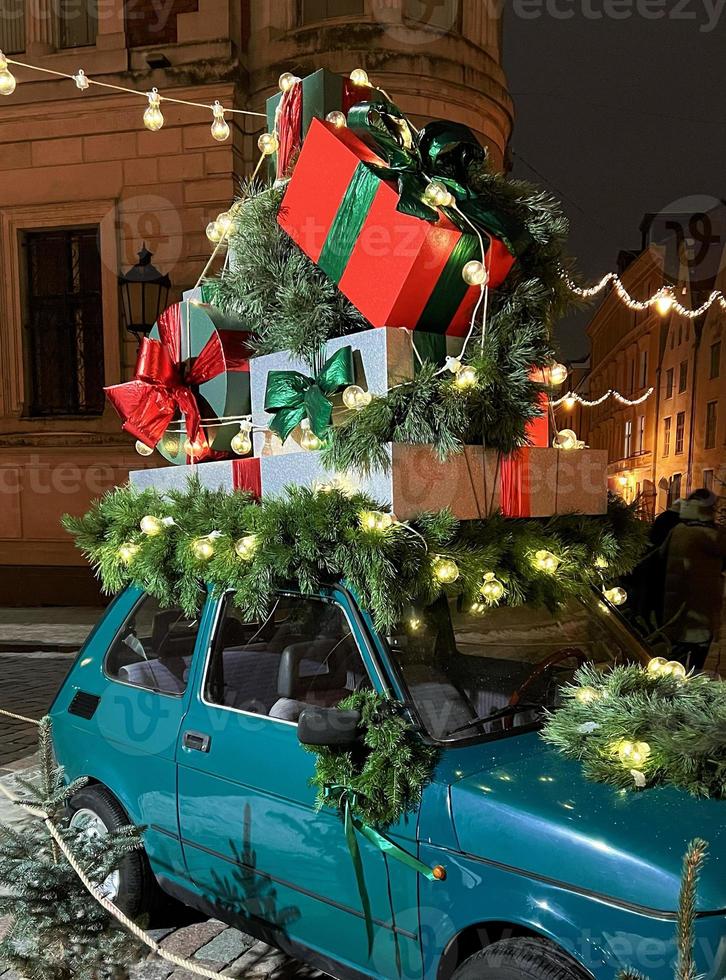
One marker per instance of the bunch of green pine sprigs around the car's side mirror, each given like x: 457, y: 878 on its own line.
x: 385, y: 780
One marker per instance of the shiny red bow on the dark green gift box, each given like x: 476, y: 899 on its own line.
x: 162, y: 384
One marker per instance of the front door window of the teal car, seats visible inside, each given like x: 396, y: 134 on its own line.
x: 303, y: 653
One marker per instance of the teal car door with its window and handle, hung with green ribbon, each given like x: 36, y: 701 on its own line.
x: 253, y: 838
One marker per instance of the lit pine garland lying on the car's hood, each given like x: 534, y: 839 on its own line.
x: 635, y: 727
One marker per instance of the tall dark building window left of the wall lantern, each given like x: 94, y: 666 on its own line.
x: 64, y: 325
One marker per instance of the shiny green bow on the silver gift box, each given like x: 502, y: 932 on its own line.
x: 291, y: 396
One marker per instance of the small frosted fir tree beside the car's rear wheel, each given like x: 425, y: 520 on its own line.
x: 58, y: 931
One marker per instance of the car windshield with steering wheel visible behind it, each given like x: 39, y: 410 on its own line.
x: 470, y: 674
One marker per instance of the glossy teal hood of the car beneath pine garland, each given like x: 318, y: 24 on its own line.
x: 517, y: 802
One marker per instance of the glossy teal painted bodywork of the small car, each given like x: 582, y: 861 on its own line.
x: 529, y: 847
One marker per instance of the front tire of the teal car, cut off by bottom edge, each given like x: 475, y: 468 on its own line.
x: 519, y: 959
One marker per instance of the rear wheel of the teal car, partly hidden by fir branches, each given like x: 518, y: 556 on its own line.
x: 132, y: 888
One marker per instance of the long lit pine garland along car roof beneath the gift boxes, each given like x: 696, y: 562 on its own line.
x: 170, y: 544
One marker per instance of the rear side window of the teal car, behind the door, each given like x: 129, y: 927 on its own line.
x: 154, y: 648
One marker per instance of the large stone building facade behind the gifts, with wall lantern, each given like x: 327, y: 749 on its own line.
x: 83, y: 185
